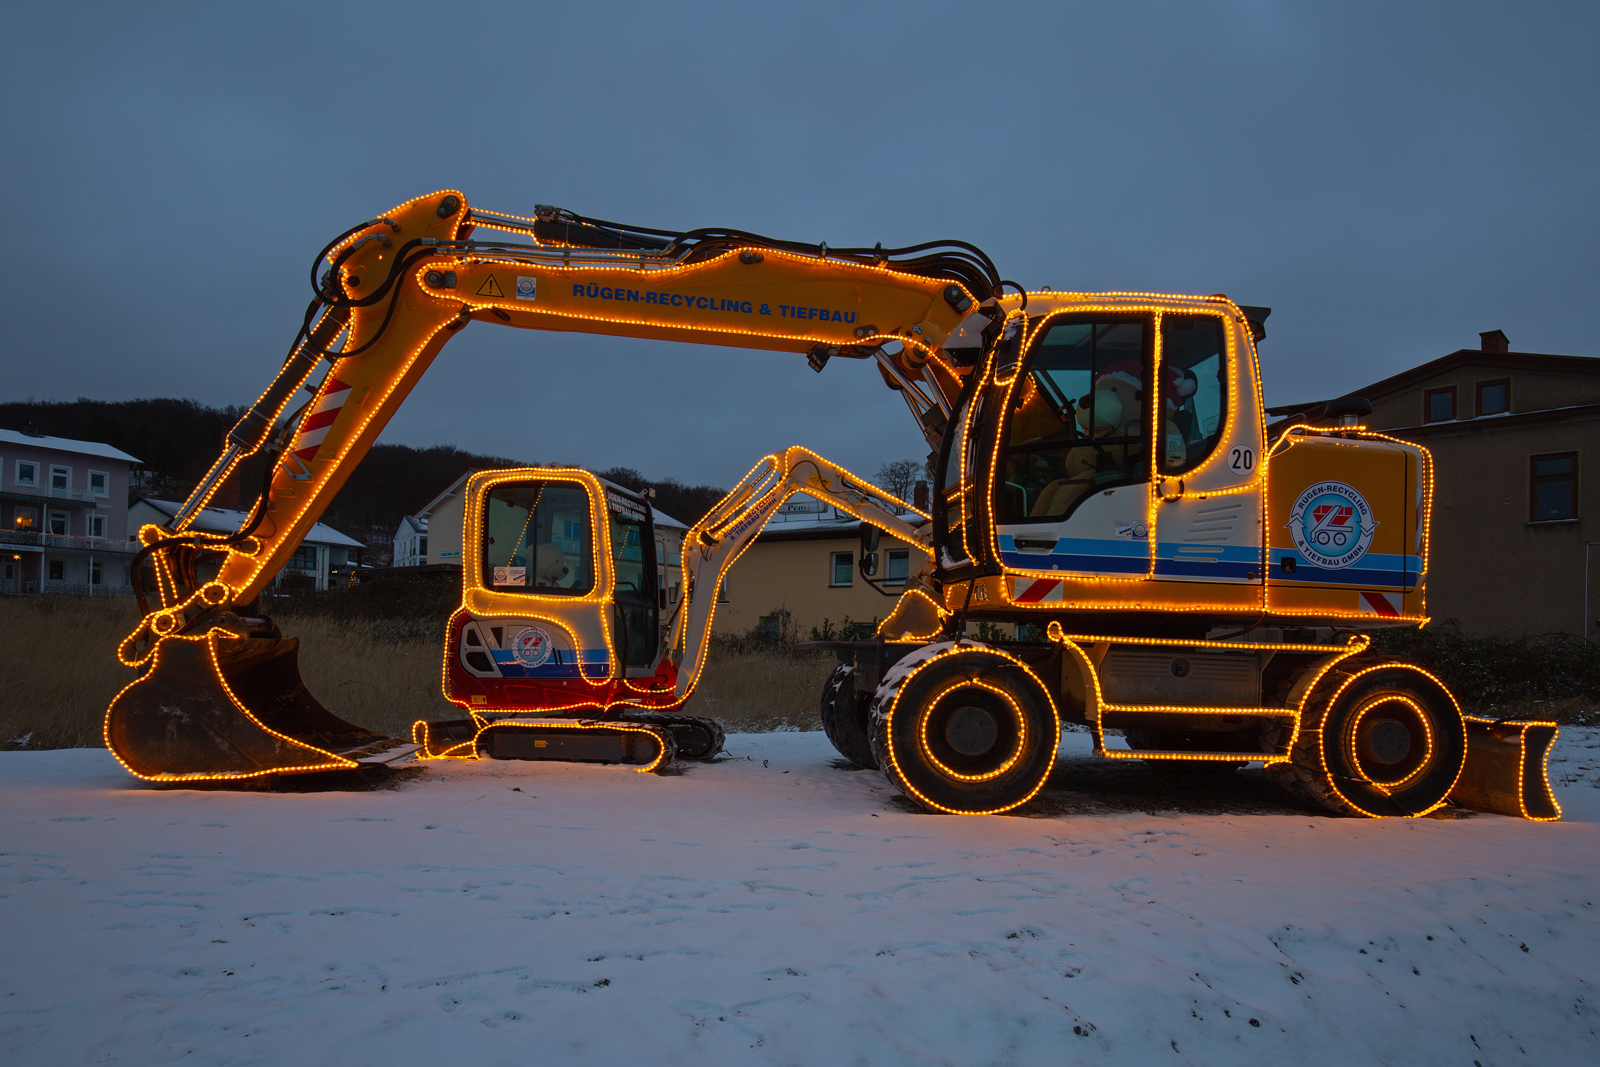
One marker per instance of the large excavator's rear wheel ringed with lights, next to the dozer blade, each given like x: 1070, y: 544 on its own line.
x: 1378, y: 740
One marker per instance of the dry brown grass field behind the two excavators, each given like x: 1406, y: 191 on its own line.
x: 58, y: 673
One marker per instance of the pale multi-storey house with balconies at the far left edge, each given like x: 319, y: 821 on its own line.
x: 63, y: 516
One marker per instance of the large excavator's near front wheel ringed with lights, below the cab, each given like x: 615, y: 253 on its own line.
x: 964, y: 730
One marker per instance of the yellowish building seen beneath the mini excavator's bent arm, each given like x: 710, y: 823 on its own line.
x: 806, y: 564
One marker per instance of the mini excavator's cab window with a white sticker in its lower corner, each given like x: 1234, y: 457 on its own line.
x: 537, y: 540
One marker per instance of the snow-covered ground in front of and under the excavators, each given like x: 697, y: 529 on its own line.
x: 777, y: 909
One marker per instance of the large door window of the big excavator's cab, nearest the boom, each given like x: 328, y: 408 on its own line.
x: 1078, y: 420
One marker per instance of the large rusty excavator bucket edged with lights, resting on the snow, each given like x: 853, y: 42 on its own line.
x: 220, y: 706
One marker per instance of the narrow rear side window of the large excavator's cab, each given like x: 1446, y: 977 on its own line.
x: 1194, y: 390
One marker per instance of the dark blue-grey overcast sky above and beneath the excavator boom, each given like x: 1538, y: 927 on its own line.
x: 1390, y: 178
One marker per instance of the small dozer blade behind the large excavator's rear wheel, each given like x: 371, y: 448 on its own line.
x: 1506, y: 770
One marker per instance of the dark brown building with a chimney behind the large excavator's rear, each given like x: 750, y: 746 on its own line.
x: 1516, y: 442
